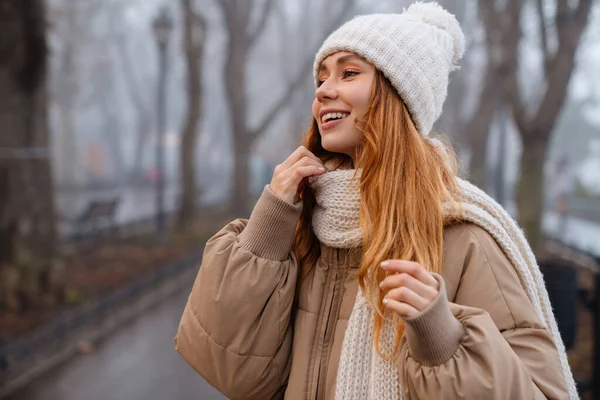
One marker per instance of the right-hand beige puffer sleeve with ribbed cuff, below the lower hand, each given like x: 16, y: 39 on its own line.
x: 488, y: 342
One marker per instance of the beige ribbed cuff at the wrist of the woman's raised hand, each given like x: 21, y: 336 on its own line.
x: 270, y: 230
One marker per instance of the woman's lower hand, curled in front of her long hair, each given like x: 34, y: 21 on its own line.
x: 409, y: 288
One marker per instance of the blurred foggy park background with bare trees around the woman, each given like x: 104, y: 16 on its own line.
x: 132, y: 130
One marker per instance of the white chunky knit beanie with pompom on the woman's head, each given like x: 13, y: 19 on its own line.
x: 415, y: 50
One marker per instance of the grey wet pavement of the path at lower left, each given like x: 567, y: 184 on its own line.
x: 138, y: 362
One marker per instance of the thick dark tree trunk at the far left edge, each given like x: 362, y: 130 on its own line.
x: 27, y: 213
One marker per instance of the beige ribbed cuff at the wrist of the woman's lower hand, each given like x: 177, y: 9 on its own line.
x: 435, y: 334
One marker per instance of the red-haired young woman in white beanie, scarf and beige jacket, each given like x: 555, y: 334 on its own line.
x: 367, y: 269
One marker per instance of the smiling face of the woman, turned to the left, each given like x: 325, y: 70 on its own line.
x: 342, y: 96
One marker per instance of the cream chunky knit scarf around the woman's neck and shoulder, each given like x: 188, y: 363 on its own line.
x: 363, y: 374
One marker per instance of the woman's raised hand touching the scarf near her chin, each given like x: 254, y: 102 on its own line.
x: 288, y: 175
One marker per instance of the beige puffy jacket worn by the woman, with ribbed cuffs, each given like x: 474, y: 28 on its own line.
x: 253, y: 332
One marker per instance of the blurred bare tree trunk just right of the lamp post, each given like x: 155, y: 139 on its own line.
x: 194, y: 38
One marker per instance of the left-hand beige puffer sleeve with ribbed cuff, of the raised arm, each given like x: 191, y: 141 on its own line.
x: 235, y: 330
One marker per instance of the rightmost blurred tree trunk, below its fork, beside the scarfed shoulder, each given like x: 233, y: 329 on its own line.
x: 531, y: 190
